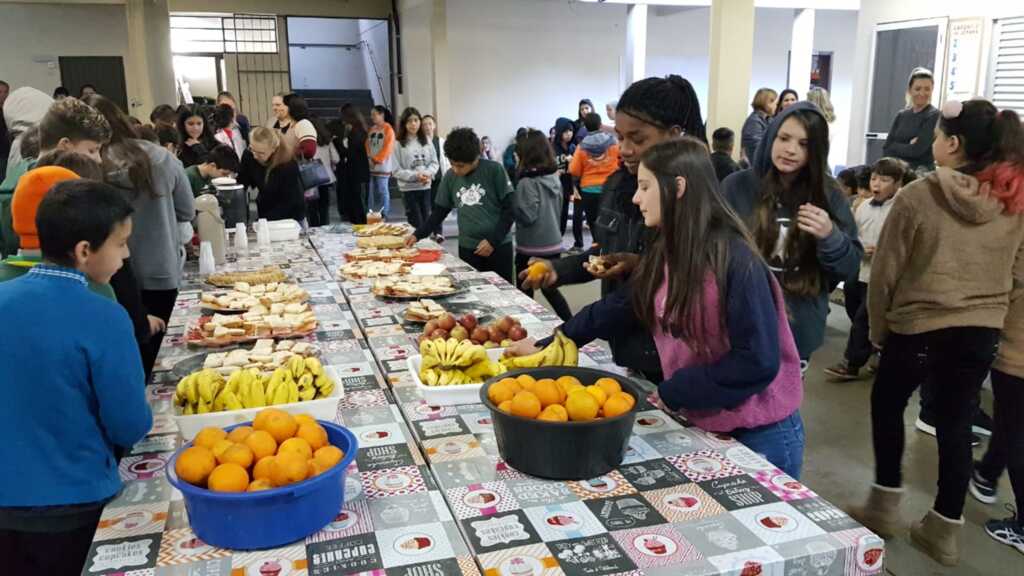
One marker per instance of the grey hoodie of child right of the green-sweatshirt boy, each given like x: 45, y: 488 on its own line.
x: 538, y: 208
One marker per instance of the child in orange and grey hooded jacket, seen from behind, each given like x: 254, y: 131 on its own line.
x: 595, y: 159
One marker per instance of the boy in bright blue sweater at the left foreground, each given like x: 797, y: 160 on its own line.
x: 72, y: 379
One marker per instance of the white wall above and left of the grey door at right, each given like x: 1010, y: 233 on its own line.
x: 880, y: 12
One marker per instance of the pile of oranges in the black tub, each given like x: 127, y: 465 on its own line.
x: 561, y: 401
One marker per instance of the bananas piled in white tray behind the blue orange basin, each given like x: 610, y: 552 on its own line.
x: 208, y: 391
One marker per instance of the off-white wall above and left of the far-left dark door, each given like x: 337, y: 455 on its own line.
x: 44, y: 32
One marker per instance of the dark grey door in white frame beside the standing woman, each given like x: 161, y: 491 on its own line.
x: 899, y: 50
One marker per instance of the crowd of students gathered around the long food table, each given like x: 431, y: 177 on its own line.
x: 715, y: 278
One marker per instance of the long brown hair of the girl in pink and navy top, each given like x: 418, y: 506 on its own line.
x: 692, y: 244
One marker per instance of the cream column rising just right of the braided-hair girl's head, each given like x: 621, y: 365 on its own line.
x: 732, y: 54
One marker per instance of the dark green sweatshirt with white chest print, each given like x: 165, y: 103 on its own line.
x: 484, y: 201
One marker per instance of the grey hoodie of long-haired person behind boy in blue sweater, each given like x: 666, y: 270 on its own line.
x: 155, y: 238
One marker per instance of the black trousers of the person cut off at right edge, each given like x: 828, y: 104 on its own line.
x: 1006, y: 450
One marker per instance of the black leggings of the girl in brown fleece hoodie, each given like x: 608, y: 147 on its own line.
x: 957, y: 361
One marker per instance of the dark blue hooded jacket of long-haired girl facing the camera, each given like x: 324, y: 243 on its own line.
x: 839, y: 255
